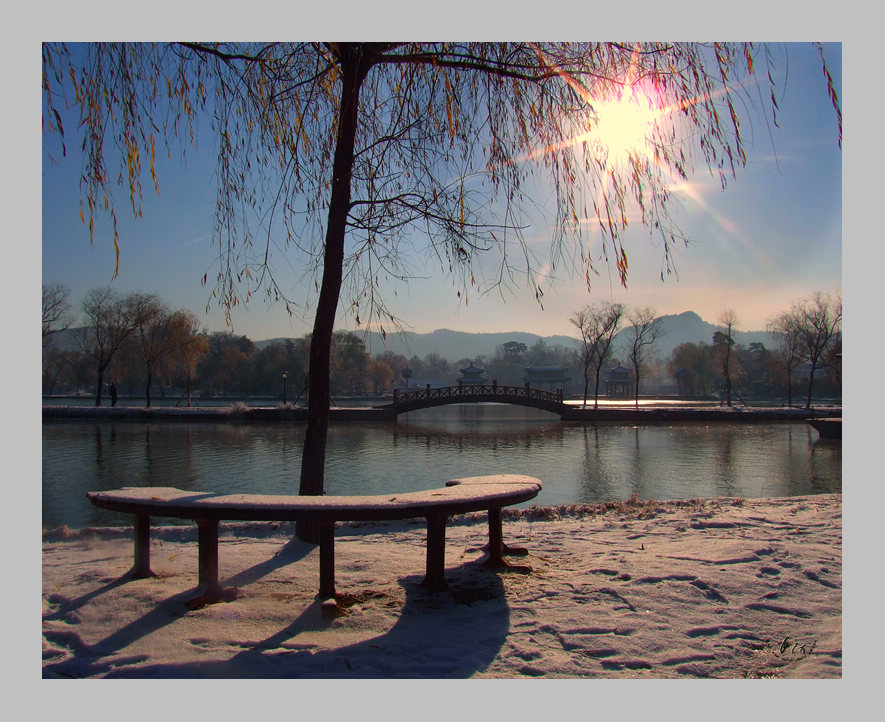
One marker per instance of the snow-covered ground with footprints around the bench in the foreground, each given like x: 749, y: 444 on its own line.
x: 719, y: 588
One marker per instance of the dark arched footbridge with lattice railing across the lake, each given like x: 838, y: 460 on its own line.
x: 425, y: 398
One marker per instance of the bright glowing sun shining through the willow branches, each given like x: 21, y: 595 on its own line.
x: 623, y: 126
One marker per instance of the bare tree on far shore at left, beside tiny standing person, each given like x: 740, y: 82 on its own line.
x: 110, y: 321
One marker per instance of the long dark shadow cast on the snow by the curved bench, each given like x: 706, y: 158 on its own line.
x: 450, y: 634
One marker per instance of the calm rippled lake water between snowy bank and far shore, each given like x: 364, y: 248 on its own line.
x: 577, y: 464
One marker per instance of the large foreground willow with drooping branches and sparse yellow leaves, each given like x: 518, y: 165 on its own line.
x: 348, y: 158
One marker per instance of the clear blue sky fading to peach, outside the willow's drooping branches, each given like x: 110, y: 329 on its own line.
x: 773, y: 236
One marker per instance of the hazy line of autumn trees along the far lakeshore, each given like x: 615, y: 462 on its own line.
x: 143, y: 347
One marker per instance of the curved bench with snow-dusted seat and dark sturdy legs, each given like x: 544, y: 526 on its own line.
x: 459, y: 496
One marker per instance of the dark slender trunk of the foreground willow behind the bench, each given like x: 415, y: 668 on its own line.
x: 313, y: 459
